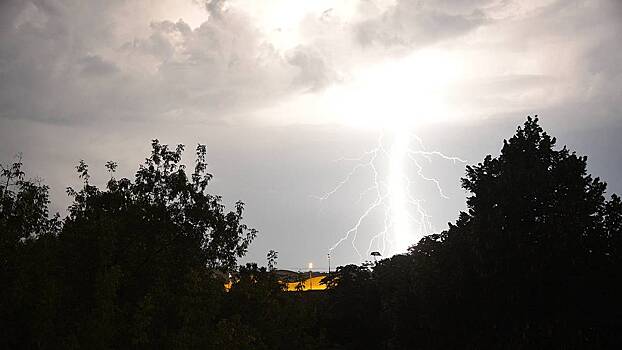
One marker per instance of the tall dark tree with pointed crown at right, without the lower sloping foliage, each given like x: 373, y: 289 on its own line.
x: 532, y: 240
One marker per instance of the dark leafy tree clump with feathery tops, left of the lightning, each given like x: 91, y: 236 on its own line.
x: 134, y: 265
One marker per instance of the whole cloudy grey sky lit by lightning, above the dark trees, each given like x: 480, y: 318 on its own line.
x: 294, y: 97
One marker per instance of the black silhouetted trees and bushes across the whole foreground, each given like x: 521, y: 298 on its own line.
x: 535, y: 262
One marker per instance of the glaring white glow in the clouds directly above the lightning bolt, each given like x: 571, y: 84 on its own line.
x: 399, y: 94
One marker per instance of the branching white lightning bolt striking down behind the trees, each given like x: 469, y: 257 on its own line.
x: 404, y: 216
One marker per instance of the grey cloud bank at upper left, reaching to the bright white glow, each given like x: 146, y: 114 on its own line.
x: 162, y: 69
